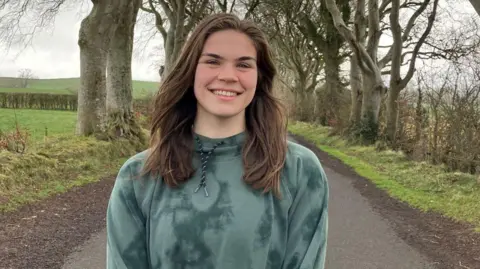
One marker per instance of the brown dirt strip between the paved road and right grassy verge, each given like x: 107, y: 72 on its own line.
x: 453, y: 245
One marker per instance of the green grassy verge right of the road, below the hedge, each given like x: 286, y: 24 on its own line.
x: 420, y: 184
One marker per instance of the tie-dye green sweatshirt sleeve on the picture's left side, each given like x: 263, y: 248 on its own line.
x: 126, y: 234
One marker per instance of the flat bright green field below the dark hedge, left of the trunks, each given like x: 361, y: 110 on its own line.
x: 35, y: 121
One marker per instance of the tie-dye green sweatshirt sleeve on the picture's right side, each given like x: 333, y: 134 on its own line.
x: 308, y: 218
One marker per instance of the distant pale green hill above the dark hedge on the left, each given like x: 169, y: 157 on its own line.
x: 66, y: 86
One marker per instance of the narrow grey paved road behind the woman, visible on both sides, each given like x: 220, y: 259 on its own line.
x: 358, y: 238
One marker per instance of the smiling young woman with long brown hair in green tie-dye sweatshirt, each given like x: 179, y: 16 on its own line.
x: 220, y: 186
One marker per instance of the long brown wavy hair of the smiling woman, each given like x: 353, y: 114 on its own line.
x: 175, y: 108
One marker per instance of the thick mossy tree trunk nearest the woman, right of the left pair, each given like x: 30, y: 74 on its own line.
x: 119, y: 81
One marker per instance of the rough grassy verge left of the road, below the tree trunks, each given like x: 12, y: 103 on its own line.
x: 55, y: 167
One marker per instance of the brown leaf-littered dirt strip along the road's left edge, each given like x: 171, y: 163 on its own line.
x: 43, y: 235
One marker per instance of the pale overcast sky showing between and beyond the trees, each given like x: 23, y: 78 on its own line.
x: 55, y: 53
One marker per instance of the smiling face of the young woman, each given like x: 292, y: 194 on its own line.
x: 226, y: 75
